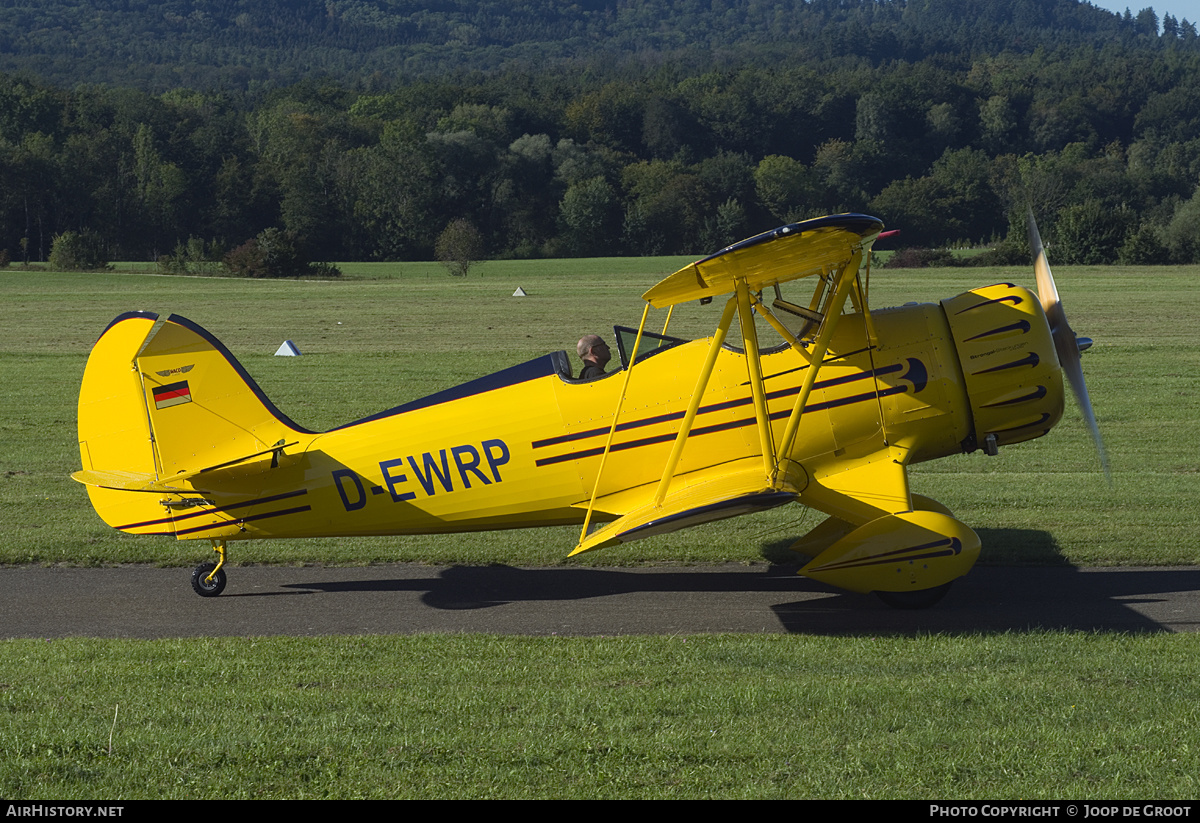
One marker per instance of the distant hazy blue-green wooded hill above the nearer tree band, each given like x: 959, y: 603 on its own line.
x: 161, y: 45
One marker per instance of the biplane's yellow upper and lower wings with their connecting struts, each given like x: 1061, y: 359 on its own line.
x: 826, y: 248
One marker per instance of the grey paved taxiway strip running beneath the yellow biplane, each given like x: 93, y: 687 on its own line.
x: 146, y: 603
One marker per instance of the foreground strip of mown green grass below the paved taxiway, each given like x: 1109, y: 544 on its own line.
x: 992, y: 718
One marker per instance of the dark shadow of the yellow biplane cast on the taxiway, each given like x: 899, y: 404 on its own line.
x: 991, y: 599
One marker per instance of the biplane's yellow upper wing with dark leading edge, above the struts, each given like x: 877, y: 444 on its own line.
x: 790, y: 253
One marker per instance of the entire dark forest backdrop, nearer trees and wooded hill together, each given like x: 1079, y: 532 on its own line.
x: 361, y: 130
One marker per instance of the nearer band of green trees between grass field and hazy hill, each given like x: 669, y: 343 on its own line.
x: 655, y: 158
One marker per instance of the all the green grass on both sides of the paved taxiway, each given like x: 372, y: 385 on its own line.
x: 1015, y: 716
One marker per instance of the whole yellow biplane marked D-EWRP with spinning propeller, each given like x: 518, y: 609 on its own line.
x: 177, y: 438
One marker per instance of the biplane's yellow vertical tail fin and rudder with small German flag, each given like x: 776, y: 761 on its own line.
x: 164, y: 400
